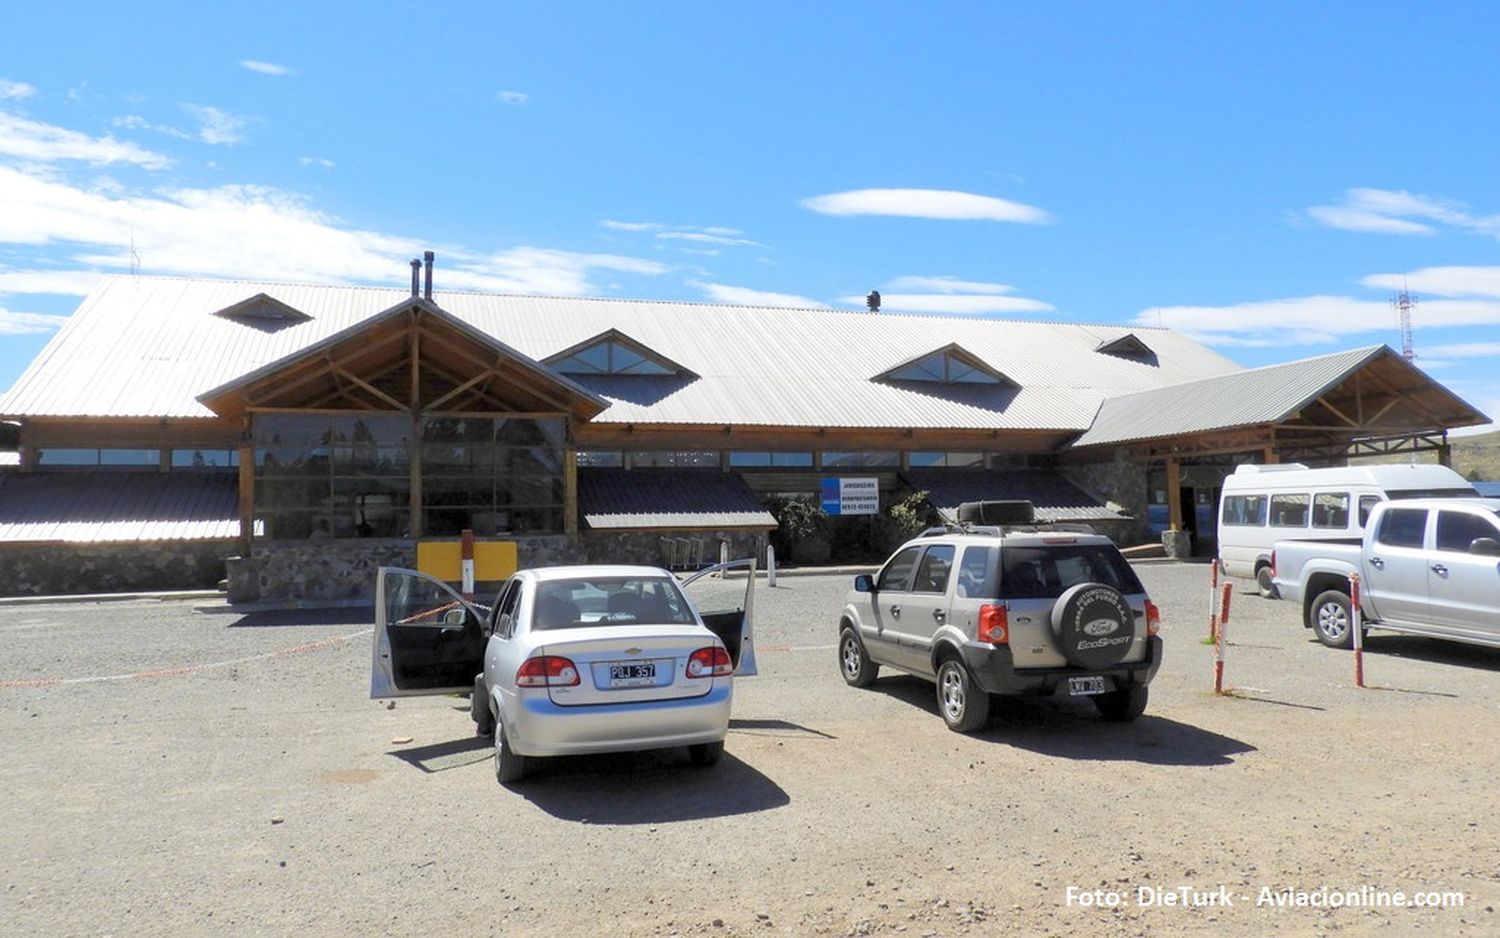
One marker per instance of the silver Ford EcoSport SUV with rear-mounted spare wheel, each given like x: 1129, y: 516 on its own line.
x: 1006, y: 610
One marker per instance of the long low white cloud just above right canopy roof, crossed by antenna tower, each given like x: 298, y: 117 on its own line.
x: 1312, y: 320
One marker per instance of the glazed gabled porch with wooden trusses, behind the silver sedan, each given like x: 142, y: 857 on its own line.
x: 409, y: 424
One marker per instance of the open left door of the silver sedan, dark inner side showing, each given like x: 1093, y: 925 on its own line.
x: 427, y: 639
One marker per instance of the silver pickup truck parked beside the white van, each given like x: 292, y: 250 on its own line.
x: 1427, y: 567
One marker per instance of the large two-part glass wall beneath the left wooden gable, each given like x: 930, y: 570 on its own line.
x: 350, y: 477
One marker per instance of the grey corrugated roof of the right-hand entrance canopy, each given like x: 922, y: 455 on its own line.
x: 1246, y: 398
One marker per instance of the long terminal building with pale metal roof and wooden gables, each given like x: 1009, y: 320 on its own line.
x: 313, y: 433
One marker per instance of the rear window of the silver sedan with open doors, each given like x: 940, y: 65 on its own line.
x: 616, y: 601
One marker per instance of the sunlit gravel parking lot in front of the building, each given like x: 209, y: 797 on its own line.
x: 187, y: 769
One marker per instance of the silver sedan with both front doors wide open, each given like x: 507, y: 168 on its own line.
x: 568, y: 661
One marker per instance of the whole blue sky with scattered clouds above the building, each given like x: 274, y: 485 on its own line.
x: 1259, y: 176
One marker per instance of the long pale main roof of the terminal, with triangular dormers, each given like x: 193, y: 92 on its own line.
x: 148, y: 347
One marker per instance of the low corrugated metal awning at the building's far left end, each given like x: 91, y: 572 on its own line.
x: 118, y: 507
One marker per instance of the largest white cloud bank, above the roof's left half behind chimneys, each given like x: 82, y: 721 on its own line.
x: 254, y: 232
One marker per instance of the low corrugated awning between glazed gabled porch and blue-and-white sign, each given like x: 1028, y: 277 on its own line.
x: 668, y: 499
